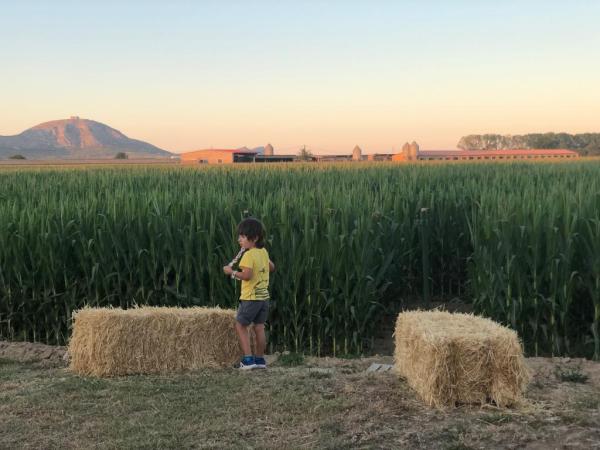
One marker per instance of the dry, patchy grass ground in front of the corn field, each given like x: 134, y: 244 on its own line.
x: 282, y: 408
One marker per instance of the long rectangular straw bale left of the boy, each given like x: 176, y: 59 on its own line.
x: 109, y: 342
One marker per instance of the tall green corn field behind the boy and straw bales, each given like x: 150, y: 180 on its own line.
x: 519, y: 241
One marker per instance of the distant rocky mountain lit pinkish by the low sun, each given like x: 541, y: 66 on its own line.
x: 75, y: 138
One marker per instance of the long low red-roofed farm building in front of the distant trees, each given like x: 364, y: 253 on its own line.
x: 411, y: 152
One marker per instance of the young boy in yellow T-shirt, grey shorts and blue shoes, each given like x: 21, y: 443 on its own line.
x: 255, y: 267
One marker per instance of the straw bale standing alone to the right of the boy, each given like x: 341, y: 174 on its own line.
x: 452, y: 359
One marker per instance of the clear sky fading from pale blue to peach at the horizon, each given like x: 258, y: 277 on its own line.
x: 328, y: 75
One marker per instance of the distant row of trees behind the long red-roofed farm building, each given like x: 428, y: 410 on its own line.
x: 584, y: 143
